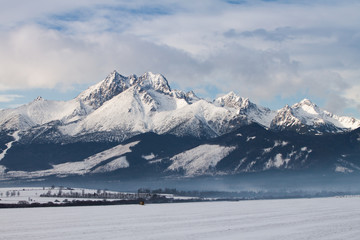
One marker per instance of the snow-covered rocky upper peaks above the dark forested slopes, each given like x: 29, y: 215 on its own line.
x: 121, y: 107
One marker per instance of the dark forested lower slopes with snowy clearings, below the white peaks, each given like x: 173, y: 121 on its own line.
x: 249, y: 149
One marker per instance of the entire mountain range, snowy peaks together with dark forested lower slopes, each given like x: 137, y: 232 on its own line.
x: 132, y: 127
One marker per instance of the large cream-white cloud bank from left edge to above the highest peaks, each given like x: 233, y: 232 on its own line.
x: 34, y: 57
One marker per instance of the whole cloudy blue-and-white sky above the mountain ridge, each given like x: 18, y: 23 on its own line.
x: 273, y: 52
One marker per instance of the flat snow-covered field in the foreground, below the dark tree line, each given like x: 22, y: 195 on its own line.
x: 322, y: 218
